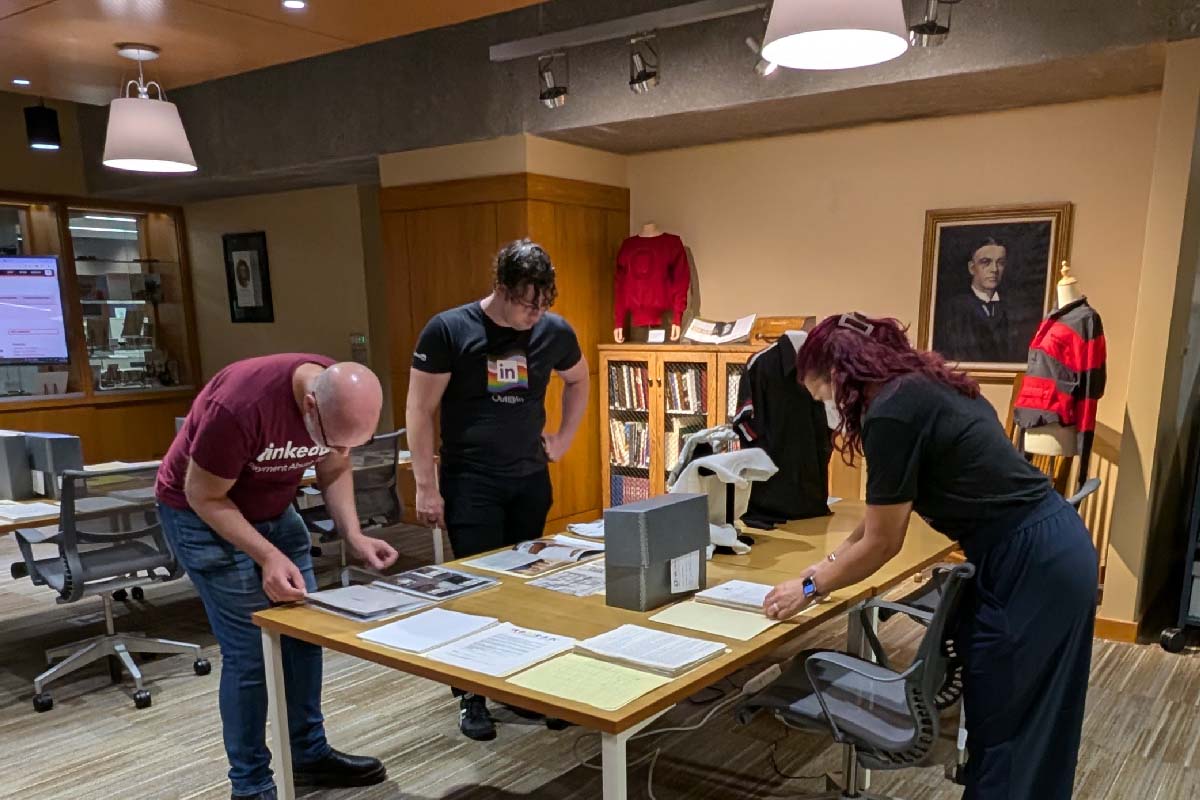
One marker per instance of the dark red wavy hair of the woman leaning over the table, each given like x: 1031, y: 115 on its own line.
x: 856, y: 353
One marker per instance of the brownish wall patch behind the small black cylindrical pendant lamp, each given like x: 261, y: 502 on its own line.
x: 39, y: 172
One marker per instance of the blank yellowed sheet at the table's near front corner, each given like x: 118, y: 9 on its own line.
x: 578, y: 678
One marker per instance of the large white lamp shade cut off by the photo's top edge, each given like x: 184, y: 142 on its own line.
x: 835, y: 34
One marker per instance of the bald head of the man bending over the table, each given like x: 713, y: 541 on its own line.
x: 347, y: 399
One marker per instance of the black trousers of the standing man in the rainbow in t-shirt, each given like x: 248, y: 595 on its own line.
x: 485, y: 513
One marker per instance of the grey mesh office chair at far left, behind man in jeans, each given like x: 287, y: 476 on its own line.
x: 109, y: 539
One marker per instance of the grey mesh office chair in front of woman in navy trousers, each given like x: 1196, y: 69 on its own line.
x: 889, y: 719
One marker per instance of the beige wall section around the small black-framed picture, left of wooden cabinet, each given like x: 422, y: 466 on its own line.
x: 316, y: 252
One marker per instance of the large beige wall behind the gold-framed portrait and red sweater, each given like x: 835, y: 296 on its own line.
x: 827, y: 222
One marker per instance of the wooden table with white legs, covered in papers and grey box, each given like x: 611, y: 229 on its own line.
x: 777, y: 557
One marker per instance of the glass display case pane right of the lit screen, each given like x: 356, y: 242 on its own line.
x: 131, y: 294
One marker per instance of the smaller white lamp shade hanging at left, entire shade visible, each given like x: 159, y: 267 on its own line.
x: 147, y: 136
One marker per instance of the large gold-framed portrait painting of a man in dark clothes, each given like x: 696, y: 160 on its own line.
x: 988, y: 280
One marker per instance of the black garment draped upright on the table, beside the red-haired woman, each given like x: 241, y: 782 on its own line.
x: 777, y: 414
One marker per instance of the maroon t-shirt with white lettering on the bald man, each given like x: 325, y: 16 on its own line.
x: 245, y: 426
